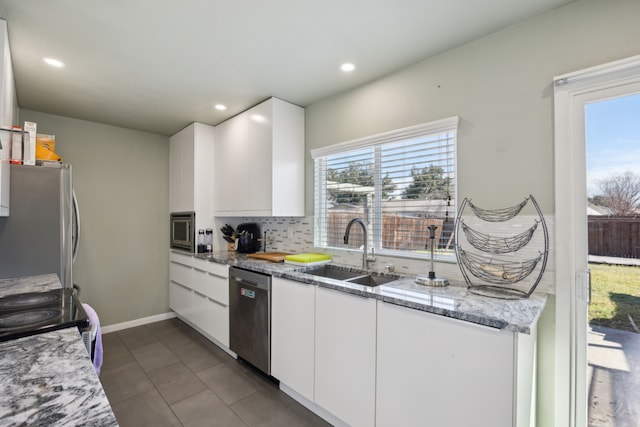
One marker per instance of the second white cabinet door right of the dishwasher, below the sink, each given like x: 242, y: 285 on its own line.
x: 345, y: 356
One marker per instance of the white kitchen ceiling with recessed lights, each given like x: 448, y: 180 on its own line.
x: 158, y: 65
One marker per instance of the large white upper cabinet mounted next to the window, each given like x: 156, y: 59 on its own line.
x: 259, y: 162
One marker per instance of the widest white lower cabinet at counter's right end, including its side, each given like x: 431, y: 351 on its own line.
x: 432, y: 370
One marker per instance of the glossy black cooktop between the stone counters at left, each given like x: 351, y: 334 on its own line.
x: 33, y: 313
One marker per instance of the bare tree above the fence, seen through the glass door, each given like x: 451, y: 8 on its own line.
x: 620, y: 193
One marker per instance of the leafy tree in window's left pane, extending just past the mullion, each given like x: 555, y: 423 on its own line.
x: 359, y: 174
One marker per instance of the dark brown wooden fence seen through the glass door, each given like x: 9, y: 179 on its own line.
x: 614, y: 236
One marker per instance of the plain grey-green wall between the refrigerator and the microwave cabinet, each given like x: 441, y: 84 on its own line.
x: 121, y: 179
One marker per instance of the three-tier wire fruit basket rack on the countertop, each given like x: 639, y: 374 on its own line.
x: 497, y: 276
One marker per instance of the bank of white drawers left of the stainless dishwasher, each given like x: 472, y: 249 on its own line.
x: 199, y: 294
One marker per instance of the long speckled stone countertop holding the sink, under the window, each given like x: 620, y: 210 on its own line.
x: 453, y: 301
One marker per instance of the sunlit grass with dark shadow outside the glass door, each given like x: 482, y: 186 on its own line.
x: 615, y: 297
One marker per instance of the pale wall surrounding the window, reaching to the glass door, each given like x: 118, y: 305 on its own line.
x: 501, y: 87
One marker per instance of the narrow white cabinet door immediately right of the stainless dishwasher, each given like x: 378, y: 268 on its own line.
x: 293, y: 335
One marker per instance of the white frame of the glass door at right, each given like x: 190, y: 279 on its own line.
x: 572, y: 93
